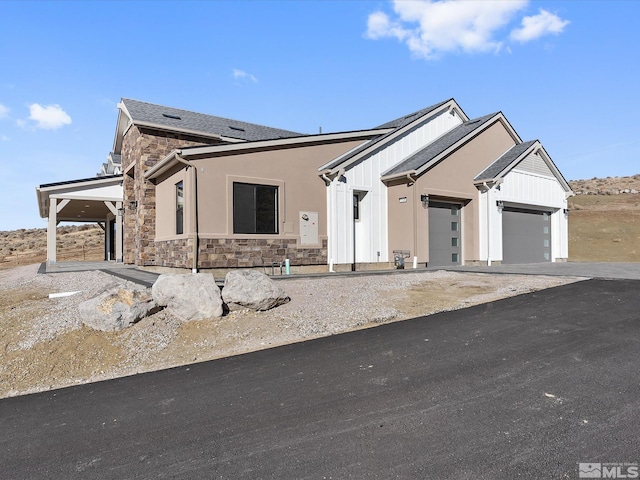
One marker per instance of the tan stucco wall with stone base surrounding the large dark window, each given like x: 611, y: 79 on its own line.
x: 300, y: 189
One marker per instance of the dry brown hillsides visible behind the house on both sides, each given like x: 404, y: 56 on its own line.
x: 604, y: 225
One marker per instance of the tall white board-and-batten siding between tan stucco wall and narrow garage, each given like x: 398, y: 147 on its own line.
x: 364, y: 176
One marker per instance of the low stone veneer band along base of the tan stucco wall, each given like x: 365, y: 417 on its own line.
x: 238, y: 253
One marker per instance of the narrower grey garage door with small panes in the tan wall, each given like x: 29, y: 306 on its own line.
x: 445, y: 239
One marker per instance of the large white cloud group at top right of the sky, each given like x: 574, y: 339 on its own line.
x: 431, y: 28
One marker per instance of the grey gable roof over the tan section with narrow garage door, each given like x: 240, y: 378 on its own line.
x: 442, y: 146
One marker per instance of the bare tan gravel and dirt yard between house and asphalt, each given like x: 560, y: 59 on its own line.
x: 43, y: 345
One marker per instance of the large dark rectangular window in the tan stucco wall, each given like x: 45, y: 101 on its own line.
x: 255, y: 208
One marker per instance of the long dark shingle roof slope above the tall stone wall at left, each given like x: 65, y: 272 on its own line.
x: 173, y: 118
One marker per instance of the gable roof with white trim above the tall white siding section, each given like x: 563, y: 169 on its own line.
x: 388, y: 132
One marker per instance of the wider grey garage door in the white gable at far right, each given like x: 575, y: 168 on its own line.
x: 526, y: 235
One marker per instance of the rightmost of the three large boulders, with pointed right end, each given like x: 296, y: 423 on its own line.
x: 251, y: 289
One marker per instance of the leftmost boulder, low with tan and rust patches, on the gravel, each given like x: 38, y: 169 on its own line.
x: 117, y: 308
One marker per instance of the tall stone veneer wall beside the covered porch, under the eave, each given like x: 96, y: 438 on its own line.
x: 145, y: 147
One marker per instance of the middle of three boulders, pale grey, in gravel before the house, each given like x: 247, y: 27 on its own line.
x: 191, y: 296
